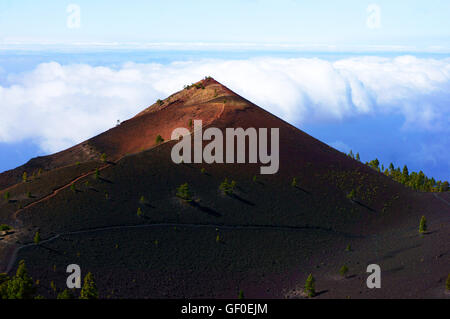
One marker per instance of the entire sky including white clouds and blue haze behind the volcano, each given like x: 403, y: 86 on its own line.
x: 371, y: 76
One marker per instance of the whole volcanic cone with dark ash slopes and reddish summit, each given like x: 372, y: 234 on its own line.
x: 265, y: 239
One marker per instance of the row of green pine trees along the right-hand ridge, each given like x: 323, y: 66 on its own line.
x: 415, y: 180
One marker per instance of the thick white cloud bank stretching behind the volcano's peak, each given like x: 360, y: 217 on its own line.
x: 60, y: 105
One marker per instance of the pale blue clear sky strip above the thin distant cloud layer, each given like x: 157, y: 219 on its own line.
x: 411, y: 23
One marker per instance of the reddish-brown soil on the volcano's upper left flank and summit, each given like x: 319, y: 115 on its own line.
x: 134, y: 135
